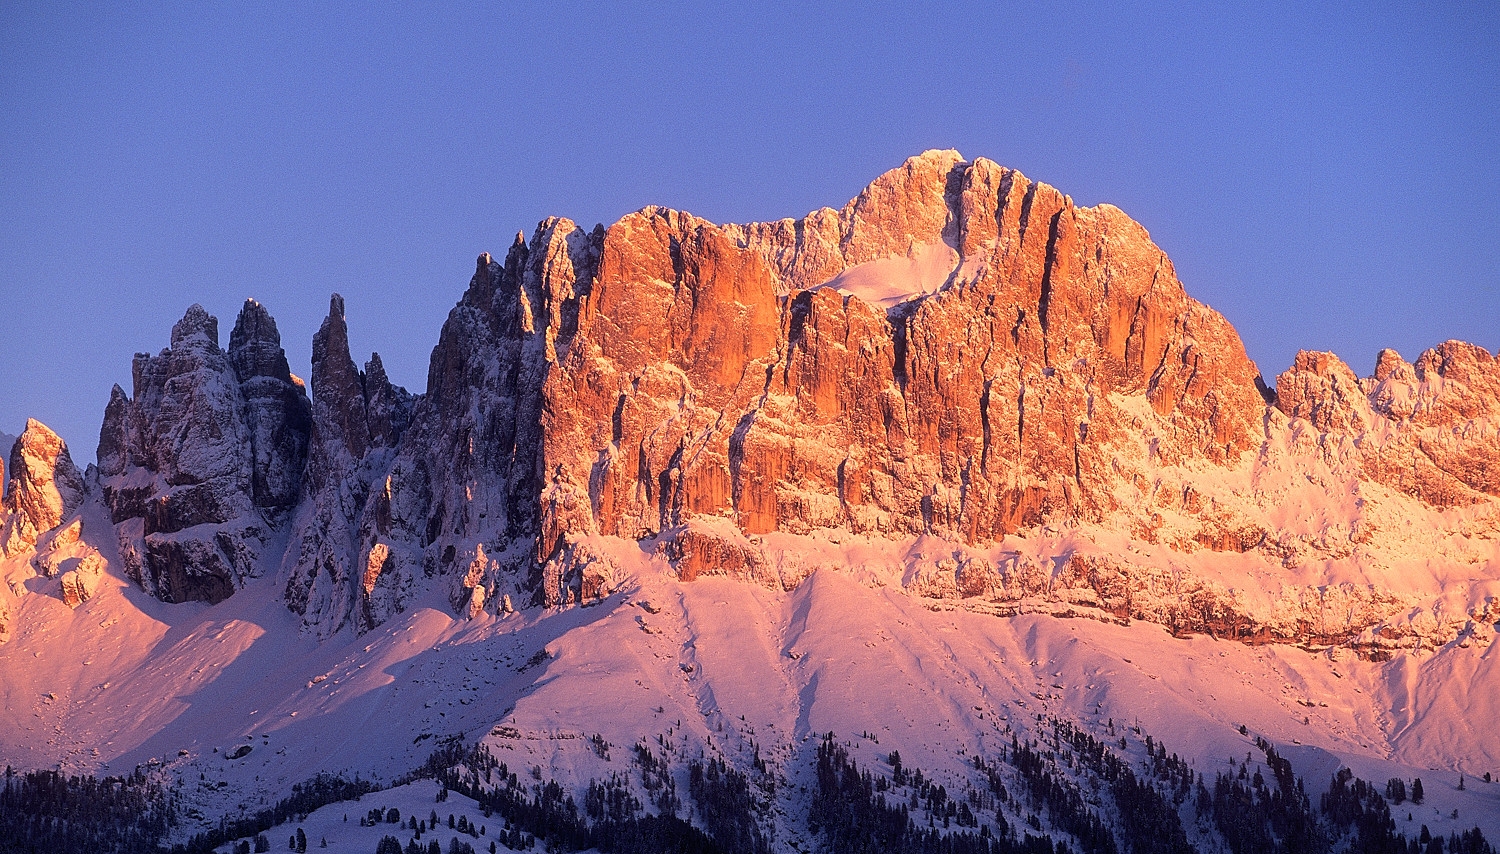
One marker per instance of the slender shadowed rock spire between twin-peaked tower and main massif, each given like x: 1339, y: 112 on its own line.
x: 358, y: 419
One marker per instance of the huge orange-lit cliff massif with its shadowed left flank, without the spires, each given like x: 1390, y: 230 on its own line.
x: 961, y: 353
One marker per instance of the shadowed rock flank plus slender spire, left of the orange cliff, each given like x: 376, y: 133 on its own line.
x: 451, y: 481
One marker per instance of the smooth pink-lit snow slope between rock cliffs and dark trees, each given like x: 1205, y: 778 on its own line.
x: 715, y: 669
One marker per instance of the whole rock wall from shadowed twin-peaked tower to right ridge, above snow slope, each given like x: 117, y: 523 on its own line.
x: 959, y: 356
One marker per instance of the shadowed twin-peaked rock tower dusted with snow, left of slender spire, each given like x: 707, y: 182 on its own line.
x: 205, y: 457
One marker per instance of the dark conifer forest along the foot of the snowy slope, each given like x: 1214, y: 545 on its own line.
x: 1129, y: 807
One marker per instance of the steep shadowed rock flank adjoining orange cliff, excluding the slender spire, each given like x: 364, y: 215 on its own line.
x: 472, y: 466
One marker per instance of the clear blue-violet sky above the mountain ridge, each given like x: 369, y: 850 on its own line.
x: 1324, y: 175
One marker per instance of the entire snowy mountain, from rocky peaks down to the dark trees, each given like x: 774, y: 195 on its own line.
x: 953, y: 471
